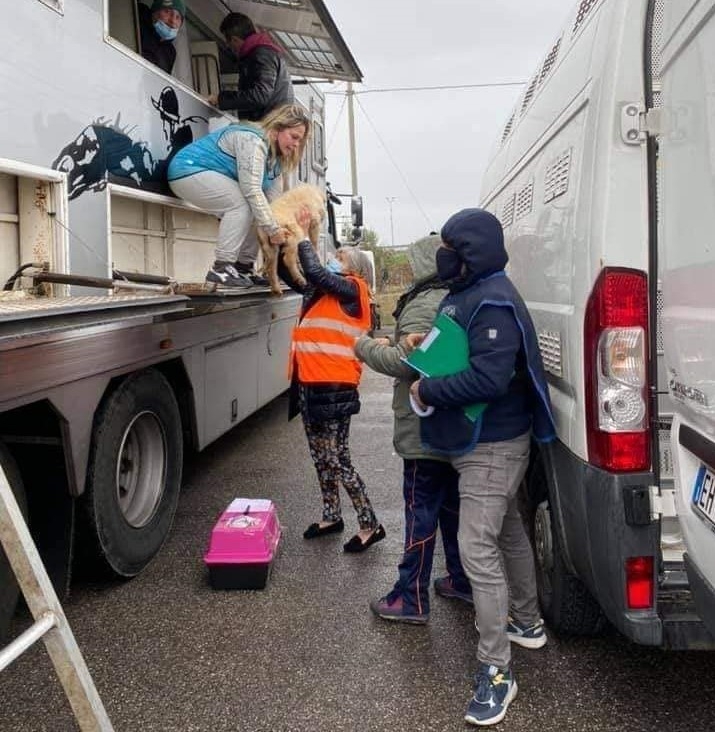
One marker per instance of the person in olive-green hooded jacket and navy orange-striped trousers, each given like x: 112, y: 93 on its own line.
x: 429, y: 485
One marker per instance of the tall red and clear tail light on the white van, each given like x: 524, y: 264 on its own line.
x: 615, y: 369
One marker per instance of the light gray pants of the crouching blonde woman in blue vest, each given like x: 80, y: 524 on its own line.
x: 221, y: 196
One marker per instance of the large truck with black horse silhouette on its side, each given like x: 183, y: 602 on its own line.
x: 101, y: 389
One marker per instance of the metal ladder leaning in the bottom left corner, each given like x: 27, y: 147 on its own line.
x: 50, y: 622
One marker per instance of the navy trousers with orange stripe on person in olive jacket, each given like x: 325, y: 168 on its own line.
x: 430, y: 489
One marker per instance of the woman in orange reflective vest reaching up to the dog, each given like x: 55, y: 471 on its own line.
x: 326, y: 372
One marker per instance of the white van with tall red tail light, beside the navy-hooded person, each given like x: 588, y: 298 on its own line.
x: 594, y: 178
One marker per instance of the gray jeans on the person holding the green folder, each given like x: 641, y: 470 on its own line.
x: 493, y: 546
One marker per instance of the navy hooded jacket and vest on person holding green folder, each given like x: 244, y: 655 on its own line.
x: 506, y: 369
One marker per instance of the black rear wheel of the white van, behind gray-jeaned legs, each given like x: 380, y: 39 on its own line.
x: 567, y: 604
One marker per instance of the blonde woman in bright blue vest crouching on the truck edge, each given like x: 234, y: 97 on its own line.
x: 234, y: 173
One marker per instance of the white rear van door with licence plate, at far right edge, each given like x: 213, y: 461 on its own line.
x: 688, y: 226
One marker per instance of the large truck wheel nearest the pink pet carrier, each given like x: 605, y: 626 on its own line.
x: 134, y: 474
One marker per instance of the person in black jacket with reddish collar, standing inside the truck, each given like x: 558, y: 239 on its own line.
x: 263, y: 79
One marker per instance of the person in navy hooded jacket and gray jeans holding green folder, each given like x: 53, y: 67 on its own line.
x: 491, y: 455
